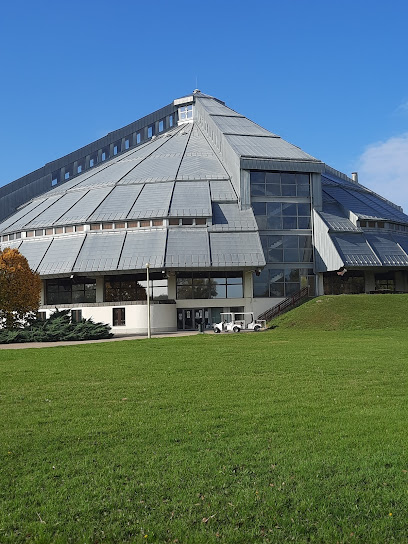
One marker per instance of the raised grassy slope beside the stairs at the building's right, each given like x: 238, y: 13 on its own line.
x: 348, y: 312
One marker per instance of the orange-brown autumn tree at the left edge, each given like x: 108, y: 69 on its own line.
x: 20, y: 289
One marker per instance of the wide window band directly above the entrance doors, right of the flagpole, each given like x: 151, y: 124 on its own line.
x: 196, y: 285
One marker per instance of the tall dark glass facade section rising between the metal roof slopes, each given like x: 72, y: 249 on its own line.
x: 282, y: 208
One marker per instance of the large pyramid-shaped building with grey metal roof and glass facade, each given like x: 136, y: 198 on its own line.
x: 228, y: 216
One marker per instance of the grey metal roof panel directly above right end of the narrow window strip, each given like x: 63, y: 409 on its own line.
x: 191, y: 199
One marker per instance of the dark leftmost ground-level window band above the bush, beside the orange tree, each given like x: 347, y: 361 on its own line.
x: 70, y: 290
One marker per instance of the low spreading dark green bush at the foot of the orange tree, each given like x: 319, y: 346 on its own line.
x: 56, y: 329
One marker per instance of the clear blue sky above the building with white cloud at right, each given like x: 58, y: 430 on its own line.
x: 329, y: 76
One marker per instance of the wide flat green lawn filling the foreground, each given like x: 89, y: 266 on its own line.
x: 284, y: 436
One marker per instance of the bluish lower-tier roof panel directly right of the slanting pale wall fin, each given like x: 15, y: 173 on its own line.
x: 354, y: 250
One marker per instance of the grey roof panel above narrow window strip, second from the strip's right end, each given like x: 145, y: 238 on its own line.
x: 153, y: 201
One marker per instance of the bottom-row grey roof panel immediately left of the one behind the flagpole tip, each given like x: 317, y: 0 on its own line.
x: 100, y: 251
